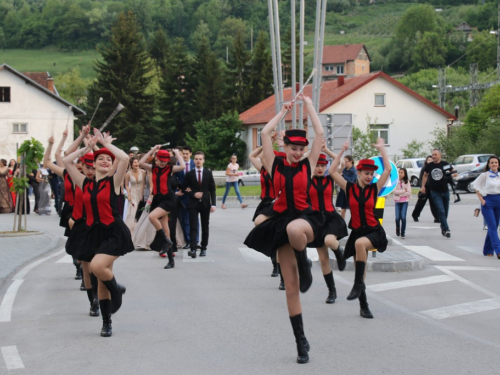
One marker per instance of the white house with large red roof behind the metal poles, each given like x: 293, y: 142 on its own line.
x: 375, y: 102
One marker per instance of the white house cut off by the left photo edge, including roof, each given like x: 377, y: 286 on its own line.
x: 30, y: 106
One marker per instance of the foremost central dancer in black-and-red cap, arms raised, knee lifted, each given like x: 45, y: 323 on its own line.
x: 293, y: 223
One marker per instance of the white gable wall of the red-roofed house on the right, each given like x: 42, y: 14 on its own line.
x: 407, y: 117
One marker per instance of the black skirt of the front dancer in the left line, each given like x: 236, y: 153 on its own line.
x: 114, y: 240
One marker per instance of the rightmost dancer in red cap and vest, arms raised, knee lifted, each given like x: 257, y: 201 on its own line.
x: 367, y: 233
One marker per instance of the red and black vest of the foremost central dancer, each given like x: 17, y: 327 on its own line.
x: 291, y: 185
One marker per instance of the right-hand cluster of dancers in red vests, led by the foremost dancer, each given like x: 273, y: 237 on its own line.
x: 296, y: 211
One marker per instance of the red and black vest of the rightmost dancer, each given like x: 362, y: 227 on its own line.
x: 362, y: 203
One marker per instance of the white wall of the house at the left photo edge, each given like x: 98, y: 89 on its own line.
x: 44, y: 115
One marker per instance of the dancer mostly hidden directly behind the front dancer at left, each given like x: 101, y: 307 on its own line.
x: 79, y: 228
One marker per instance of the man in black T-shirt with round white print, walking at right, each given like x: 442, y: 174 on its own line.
x: 439, y: 172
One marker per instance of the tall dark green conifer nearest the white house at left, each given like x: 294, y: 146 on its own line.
x: 123, y: 76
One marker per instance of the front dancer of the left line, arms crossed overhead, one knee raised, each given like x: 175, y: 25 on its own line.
x: 107, y: 236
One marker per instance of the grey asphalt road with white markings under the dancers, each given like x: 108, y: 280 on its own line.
x: 224, y: 314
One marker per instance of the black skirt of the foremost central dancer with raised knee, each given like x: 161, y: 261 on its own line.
x: 268, y: 236
